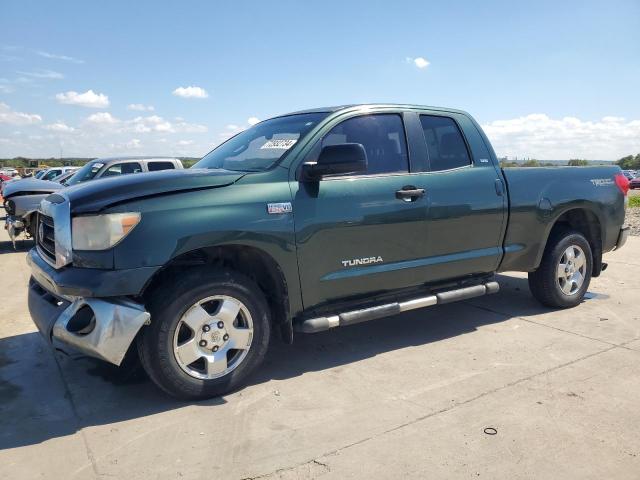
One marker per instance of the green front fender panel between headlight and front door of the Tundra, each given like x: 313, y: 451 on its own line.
x: 175, y: 225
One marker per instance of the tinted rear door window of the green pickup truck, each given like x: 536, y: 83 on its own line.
x: 445, y: 144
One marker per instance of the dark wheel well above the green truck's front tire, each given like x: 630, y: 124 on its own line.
x: 250, y: 261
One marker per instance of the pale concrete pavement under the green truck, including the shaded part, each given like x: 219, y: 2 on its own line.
x: 407, y: 396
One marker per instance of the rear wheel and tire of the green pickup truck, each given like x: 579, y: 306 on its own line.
x: 564, y: 273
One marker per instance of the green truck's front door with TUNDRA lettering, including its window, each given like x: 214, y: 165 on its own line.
x: 356, y: 234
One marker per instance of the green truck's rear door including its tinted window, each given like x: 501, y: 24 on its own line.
x: 464, y: 194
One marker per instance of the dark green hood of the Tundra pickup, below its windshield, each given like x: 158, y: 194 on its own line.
x: 95, y: 195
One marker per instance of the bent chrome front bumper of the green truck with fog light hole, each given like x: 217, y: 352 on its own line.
x: 98, y: 327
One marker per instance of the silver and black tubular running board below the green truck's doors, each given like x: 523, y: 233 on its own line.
x: 319, y: 324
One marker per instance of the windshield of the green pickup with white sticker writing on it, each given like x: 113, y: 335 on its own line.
x: 261, y: 146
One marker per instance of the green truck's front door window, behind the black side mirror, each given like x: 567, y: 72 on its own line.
x: 382, y: 137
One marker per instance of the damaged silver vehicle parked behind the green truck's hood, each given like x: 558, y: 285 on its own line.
x: 22, y: 198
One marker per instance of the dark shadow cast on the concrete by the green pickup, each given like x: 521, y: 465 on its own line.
x: 41, y: 399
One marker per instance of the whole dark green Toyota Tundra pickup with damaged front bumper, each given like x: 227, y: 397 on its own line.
x: 305, y: 222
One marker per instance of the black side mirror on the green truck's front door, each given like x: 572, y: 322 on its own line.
x: 336, y: 160
